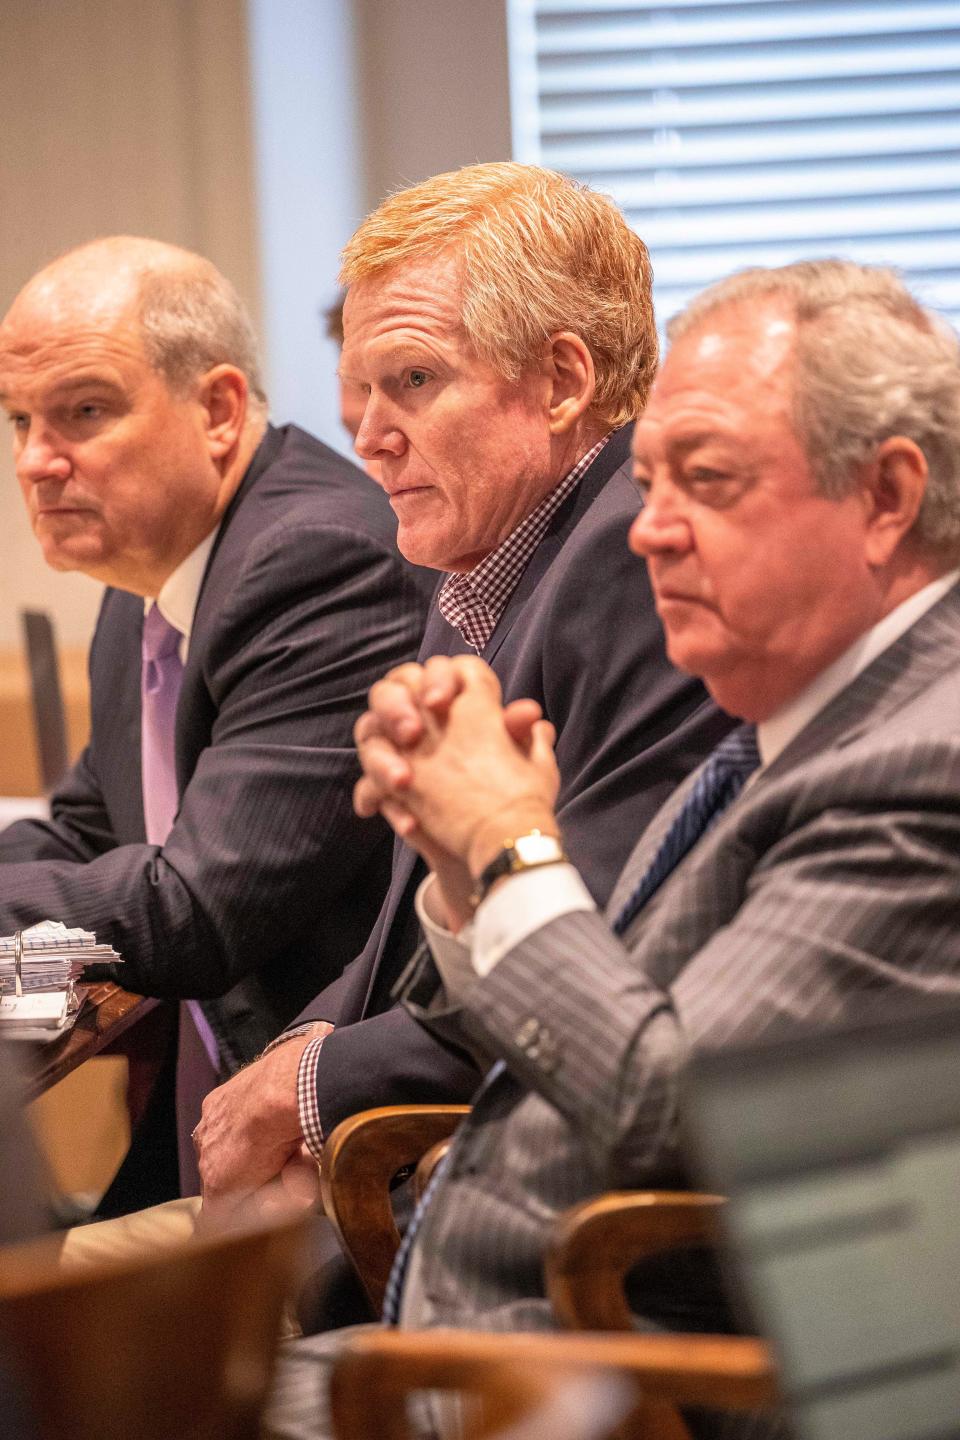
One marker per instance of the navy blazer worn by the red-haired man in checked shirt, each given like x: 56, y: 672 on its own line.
x: 579, y: 636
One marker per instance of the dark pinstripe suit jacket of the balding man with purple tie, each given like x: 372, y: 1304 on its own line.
x: 268, y: 883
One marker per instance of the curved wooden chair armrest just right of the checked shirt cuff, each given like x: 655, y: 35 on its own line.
x: 361, y: 1160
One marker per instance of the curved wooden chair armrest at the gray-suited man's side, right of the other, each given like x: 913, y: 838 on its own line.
x: 597, y: 1243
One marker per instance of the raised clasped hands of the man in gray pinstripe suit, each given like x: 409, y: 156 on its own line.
x: 454, y: 771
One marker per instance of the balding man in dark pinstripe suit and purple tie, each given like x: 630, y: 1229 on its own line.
x: 254, y: 594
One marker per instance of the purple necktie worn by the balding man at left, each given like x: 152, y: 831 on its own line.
x: 162, y: 675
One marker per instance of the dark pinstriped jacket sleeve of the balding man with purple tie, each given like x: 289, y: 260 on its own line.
x: 266, y: 826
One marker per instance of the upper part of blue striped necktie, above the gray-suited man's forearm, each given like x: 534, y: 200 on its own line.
x: 719, y: 783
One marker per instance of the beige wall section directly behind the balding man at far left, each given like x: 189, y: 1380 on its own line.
x: 116, y: 116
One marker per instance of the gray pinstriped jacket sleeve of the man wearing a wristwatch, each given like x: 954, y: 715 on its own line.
x: 846, y: 906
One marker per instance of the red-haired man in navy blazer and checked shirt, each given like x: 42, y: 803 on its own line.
x: 499, y: 332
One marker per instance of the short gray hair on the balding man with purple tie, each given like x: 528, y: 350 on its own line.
x: 192, y: 319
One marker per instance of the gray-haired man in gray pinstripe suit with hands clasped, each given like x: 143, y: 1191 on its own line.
x: 800, y: 470
